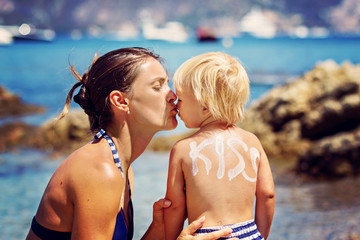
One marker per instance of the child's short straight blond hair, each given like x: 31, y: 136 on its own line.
x: 219, y: 82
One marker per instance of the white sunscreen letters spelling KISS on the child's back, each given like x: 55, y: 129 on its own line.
x: 219, y: 149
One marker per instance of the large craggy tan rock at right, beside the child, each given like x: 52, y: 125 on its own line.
x: 313, y: 121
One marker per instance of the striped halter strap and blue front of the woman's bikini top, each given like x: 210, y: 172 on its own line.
x: 123, y: 230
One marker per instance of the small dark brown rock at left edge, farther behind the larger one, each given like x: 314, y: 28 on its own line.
x: 12, y: 105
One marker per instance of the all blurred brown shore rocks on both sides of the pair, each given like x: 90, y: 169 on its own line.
x: 310, y: 125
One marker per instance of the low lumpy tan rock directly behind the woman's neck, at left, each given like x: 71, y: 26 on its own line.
x: 57, y: 137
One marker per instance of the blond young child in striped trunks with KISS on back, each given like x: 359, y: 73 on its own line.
x: 217, y: 172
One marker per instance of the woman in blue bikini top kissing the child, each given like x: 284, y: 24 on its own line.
x: 126, y: 95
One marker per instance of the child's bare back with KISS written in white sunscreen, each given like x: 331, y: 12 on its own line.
x: 220, y: 173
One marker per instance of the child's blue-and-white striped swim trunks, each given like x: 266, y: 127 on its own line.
x: 244, y: 230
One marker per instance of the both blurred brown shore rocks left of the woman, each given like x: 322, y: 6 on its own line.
x: 53, y: 136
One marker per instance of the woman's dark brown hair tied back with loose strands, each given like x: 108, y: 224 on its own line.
x: 116, y: 70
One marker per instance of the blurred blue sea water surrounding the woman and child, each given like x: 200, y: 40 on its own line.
x: 39, y: 73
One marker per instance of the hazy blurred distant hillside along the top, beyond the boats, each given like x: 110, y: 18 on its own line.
x: 339, y: 16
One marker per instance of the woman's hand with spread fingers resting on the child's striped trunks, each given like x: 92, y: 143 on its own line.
x: 187, y: 233
